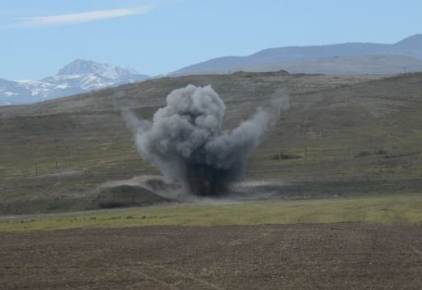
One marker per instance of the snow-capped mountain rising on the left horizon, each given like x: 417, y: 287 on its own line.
x: 77, y: 77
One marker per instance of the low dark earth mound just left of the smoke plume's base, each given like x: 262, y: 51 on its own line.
x: 126, y: 196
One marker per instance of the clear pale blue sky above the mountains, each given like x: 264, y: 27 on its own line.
x: 38, y: 37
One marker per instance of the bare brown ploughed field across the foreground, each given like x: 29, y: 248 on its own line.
x: 347, y: 256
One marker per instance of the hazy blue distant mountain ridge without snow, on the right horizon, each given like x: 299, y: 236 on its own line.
x: 276, y: 58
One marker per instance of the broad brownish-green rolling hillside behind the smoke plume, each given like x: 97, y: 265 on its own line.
x: 342, y: 135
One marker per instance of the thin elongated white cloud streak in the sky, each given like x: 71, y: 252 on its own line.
x: 79, y: 17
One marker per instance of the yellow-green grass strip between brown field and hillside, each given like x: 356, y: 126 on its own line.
x: 389, y: 210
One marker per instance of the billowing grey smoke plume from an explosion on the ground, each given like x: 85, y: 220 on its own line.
x: 186, y: 143
